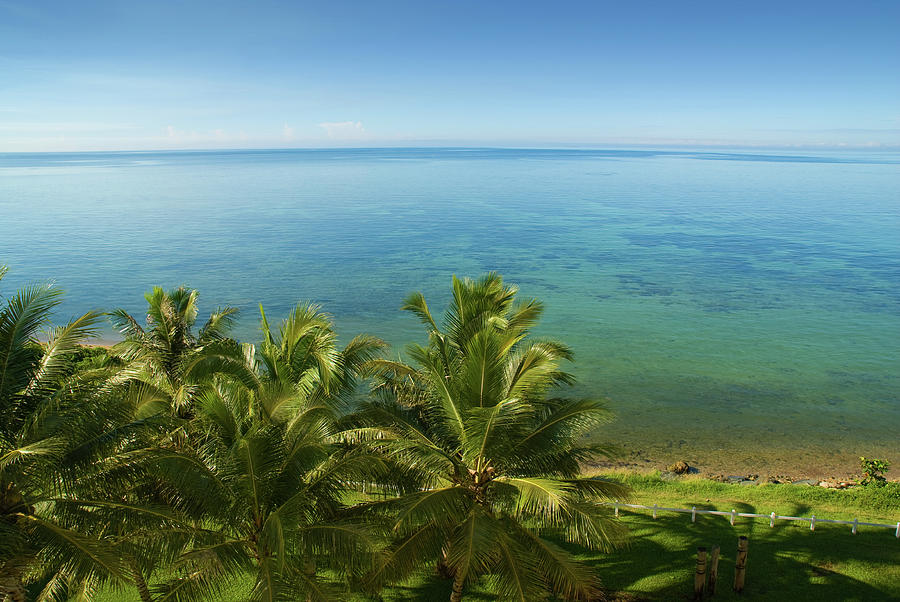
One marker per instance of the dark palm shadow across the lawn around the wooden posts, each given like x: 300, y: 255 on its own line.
x: 784, y: 563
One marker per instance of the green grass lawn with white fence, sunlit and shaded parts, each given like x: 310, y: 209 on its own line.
x: 789, y: 562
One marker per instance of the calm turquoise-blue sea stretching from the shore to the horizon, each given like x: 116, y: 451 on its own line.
x: 741, y: 303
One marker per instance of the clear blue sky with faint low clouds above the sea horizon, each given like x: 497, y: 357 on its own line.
x: 145, y: 75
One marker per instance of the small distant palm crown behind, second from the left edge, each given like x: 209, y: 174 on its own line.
x: 171, y: 361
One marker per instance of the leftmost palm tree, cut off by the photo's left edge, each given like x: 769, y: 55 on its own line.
x: 47, y: 437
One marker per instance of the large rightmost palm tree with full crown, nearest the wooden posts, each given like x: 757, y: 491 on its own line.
x: 497, y: 460
